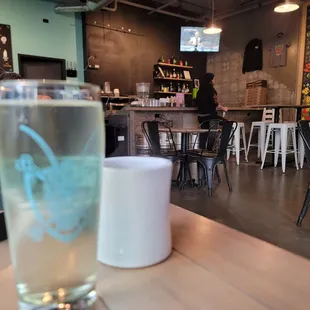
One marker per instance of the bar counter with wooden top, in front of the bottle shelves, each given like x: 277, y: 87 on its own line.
x: 182, y: 118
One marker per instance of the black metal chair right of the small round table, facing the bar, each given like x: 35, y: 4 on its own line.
x: 219, y: 135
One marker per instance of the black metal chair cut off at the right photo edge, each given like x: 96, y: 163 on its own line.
x: 304, y: 131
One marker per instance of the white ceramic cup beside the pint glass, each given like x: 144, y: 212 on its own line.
x: 134, y: 225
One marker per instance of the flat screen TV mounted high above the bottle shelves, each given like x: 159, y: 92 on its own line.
x: 193, y: 39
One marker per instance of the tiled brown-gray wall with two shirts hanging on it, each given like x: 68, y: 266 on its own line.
x: 263, y: 24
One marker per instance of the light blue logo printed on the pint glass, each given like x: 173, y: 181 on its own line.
x: 63, y: 196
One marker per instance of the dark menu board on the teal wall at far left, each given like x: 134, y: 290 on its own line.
x: 6, y: 57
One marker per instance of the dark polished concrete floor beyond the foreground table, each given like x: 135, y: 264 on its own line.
x: 264, y: 204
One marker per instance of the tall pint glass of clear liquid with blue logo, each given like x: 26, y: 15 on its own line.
x: 51, y: 150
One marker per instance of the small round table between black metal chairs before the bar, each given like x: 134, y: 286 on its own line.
x: 185, y: 132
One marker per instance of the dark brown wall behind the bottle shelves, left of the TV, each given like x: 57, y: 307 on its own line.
x: 125, y: 59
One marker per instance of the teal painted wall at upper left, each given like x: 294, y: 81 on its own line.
x: 60, y: 38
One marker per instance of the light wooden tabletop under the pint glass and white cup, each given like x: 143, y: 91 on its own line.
x: 212, y: 267
